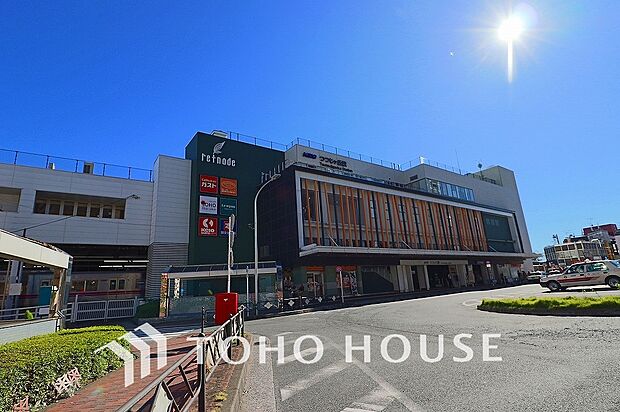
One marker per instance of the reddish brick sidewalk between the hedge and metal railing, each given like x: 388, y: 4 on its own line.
x: 109, y: 392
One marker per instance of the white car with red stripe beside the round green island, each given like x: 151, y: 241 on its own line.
x: 598, y: 272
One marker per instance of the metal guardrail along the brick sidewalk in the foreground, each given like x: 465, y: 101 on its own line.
x: 184, y: 382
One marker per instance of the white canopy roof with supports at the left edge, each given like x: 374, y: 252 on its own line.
x: 17, y: 248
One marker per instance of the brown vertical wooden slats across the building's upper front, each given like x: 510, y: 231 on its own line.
x: 361, y: 218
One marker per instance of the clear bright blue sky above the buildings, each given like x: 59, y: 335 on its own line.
x: 121, y: 82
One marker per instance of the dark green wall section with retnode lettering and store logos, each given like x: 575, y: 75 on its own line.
x: 223, y: 168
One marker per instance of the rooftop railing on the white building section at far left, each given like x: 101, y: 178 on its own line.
x: 65, y: 164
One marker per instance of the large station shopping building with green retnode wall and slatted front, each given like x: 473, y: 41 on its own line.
x: 330, y: 222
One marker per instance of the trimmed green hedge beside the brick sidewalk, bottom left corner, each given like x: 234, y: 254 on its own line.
x: 29, y: 367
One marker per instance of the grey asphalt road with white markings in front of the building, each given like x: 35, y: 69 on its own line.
x: 548, y: 363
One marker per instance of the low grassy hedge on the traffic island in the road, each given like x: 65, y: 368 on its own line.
x: 559, y: 303
